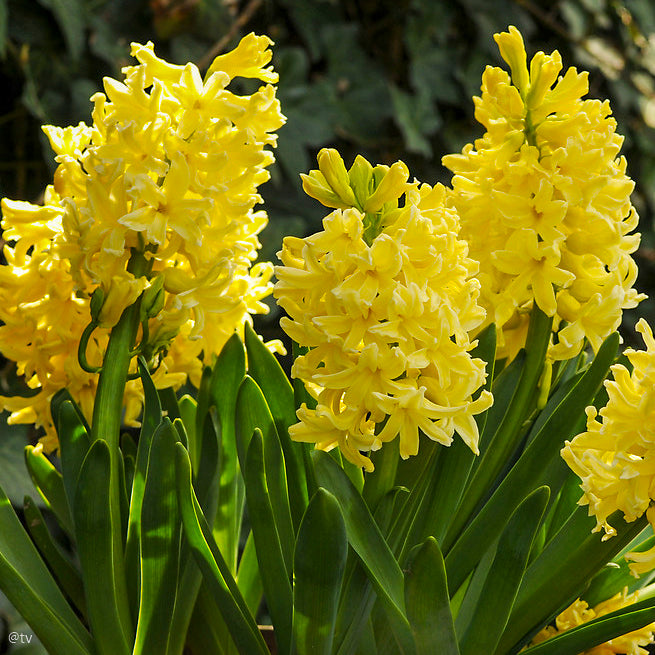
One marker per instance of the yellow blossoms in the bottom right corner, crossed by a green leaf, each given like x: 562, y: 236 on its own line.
x: 579, y: 612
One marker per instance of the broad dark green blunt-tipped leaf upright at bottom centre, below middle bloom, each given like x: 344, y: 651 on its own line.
x: 319, y: 565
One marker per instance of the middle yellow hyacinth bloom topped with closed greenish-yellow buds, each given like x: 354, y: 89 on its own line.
x: 384, y: 298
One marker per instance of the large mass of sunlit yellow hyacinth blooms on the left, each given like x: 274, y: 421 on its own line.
x: 170, y: 169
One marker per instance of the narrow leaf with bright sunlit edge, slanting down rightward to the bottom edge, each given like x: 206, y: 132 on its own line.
x: 216, y: 573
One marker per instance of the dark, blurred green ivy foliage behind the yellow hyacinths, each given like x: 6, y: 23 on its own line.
x: 389, y: 79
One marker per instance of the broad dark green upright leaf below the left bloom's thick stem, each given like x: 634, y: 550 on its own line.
x: 100, y: 547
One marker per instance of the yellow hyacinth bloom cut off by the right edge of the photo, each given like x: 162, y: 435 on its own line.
x: 615, y: 457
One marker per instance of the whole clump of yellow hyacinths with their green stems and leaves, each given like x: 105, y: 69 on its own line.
x: 436, y: 474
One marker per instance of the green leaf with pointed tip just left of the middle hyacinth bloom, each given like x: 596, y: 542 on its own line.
x: 277, y: 390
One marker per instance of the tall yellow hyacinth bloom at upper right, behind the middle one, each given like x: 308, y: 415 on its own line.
x: 544, y: 202
